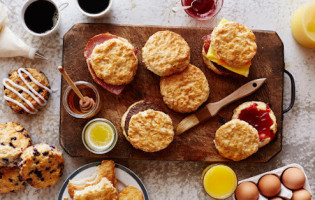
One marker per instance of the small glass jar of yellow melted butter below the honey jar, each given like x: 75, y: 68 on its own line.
x: 88, y: 143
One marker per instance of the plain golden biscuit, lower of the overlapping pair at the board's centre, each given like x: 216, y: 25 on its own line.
x: 185, y: 91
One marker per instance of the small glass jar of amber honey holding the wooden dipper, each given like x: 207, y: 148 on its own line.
x: 71, y: 100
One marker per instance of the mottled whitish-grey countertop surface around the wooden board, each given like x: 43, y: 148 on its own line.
x: 173, y: 180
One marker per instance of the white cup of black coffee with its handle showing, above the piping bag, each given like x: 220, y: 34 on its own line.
x: 41, y: 17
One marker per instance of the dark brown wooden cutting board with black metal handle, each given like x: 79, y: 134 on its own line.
x: 196, y: 144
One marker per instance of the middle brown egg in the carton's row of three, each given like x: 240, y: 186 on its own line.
x: 269, y: 185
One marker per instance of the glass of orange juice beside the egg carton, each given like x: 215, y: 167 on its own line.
x: 219, y: 181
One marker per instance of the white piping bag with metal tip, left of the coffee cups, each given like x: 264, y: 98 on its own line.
x: 10, y: 44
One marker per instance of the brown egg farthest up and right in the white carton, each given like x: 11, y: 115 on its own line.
x: 293, y: 178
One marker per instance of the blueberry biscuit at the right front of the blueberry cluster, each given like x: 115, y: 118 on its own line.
x: 41, y: 165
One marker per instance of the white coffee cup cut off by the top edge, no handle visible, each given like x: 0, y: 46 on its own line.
x: 94, y: 8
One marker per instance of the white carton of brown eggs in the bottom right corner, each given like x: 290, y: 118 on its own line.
x: 288, y: 182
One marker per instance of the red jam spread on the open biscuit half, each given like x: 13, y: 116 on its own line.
x: 260, y: 119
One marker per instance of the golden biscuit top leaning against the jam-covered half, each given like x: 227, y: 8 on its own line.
x: 236, y: 140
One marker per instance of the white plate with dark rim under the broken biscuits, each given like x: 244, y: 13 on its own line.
x: 125, y: 177
